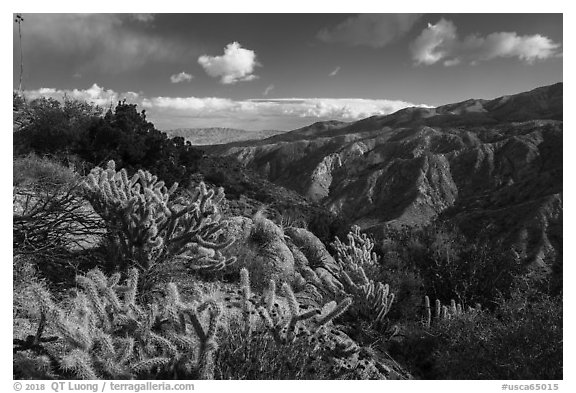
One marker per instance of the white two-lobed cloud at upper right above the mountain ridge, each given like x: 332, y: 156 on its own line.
x: 440, y: 42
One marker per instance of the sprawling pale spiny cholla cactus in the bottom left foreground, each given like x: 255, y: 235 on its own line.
x: 107, y: 334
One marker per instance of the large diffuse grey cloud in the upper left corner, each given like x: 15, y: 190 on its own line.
x: 105, y: 42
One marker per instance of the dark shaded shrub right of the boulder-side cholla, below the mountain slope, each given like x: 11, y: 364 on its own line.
x: 452, y: 266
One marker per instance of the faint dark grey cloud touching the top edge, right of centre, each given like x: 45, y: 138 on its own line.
x: 375, y: 30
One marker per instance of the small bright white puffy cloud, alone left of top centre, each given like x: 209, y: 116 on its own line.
x: 235, y: 65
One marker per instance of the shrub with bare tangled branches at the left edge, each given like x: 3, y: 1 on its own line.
x: 50, y: 217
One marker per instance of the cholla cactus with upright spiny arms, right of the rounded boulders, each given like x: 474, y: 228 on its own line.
x: 372, y: 300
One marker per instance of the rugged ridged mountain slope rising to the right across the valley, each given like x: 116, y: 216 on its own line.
x: 490, y: 166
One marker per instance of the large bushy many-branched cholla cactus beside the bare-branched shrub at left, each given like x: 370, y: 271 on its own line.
x: 148, y: 226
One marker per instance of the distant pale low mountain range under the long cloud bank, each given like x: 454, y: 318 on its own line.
x: 216, y: 135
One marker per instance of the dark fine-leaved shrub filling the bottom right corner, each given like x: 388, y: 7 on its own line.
x: 522, y: 340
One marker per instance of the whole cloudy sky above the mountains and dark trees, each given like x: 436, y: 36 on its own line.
x: 283, y: 71
